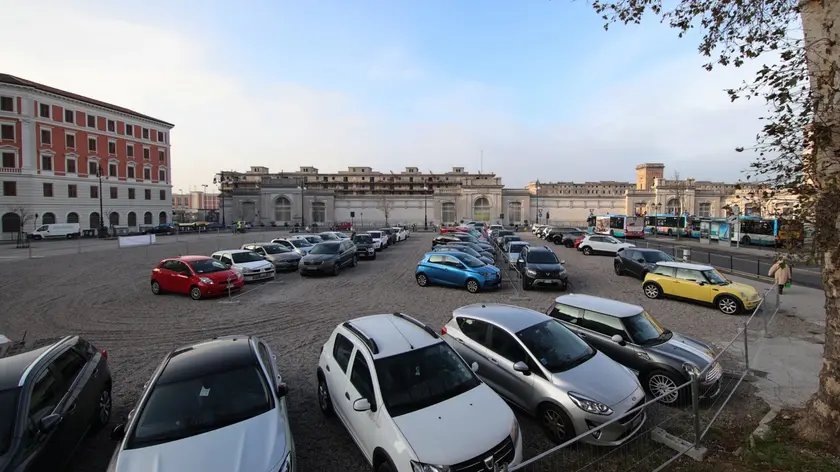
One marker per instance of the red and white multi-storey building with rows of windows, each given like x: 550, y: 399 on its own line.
x: 55, y: 146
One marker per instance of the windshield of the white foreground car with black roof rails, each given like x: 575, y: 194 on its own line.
x: 422, y: 377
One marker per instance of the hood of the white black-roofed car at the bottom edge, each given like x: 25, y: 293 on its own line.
x: 254, y: 445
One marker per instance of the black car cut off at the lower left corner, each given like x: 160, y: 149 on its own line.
x: 52, y: 392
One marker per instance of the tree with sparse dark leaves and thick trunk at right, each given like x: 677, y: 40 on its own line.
x: 798, y: 148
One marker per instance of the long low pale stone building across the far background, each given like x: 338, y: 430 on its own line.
x: 366, y: 197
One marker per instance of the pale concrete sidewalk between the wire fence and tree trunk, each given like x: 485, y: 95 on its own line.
x: 786, y: 362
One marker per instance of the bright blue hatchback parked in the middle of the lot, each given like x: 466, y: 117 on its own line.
x: 457, y: 270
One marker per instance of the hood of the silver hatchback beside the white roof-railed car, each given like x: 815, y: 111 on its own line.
x: 611, y: 384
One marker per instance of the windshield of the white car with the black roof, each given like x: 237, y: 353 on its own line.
x: 187, y: 407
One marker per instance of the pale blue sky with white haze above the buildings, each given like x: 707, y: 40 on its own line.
x: 539, y: 86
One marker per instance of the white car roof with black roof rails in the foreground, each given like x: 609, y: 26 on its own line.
x: 393, y: 335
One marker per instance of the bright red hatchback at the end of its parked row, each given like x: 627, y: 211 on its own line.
x: 198, y: 276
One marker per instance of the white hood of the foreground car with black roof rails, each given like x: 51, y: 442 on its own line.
x: 464, y: 417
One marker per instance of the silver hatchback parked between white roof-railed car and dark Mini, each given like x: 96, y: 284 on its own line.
x: 536, y: 363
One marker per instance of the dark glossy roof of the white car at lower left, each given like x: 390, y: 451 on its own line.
x: 207, y: 357
